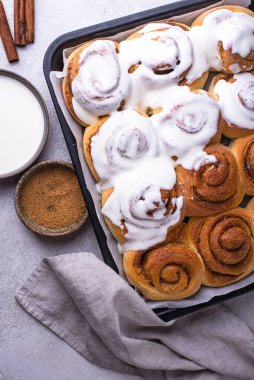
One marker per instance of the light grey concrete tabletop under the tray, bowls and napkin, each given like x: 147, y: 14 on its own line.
x: 28, y: 351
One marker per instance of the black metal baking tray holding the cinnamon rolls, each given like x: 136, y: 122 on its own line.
x: 53, y: 61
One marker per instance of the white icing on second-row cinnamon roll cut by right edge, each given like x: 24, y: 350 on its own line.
x: 237, y: 100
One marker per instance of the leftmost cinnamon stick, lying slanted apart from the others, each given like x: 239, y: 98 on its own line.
x: 6, y: 36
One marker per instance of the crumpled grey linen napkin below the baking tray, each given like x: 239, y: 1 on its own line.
x: 96, y: 312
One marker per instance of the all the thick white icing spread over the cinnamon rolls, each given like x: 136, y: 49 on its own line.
x: 132, y: 153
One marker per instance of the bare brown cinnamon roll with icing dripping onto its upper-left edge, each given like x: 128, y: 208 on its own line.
x: 214, y: 187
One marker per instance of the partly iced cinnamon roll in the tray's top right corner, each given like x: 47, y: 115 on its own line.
x: 223, y: 40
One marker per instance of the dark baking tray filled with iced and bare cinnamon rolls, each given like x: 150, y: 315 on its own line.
x: 166, y: 114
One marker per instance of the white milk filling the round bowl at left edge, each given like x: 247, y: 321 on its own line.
x: 21, y: 124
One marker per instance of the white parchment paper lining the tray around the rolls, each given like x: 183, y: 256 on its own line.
x: 205, y: 293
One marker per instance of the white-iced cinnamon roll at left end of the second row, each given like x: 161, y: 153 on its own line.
x: 117, y: 143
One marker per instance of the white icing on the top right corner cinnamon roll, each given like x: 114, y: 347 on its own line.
x: 234, y: 29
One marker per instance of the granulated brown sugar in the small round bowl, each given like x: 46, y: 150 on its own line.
x: 52, y: 198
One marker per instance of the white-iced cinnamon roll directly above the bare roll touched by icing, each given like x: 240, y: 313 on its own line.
x: 186, y: 125
